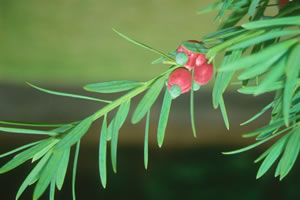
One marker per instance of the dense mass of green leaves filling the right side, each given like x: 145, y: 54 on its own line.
x: 264, y: 56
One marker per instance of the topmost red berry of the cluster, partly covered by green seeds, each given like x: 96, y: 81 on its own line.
x: 194, y: 58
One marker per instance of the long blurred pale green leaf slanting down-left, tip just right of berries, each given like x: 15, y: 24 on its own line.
x: 261, y: 56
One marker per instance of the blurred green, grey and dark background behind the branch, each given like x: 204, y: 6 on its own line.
x: 65, y: 44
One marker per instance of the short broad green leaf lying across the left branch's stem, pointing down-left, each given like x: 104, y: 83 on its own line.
x: 75, y: 134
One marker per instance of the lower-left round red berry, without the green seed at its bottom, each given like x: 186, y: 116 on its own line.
x: 182, y: 78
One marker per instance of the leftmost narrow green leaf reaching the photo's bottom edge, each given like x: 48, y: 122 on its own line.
x: 35, y: 171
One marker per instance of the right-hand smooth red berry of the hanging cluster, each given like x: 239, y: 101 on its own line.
x: 203, y: 73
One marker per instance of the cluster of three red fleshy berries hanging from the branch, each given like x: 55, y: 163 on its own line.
x: 180, y: 79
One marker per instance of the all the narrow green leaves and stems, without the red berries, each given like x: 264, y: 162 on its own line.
x: 263, y: 53
